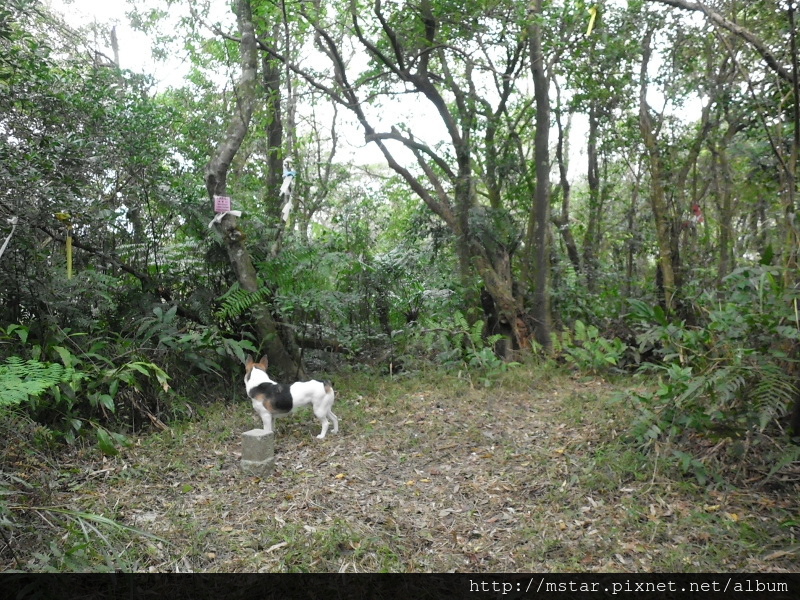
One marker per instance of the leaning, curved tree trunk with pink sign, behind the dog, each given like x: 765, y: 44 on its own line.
x: 216, y: 183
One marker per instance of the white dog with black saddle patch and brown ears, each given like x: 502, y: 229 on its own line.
x: 272, y: 399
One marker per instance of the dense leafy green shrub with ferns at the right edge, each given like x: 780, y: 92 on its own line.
x: 733, y: 375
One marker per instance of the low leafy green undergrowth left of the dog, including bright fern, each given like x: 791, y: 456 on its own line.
x: 79, y: 386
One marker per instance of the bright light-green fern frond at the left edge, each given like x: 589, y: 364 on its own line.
x: 22, y: 379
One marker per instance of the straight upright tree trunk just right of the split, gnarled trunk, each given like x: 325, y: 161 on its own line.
x: 541, y: 203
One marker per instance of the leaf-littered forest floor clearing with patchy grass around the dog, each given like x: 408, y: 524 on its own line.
x: 427, y: 473
